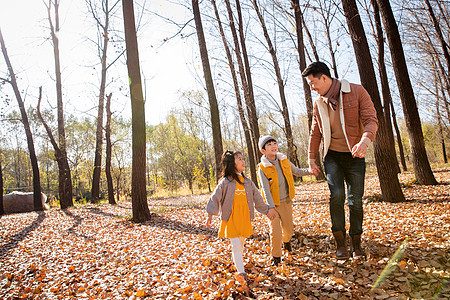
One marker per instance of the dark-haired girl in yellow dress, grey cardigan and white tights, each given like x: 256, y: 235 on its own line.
x: 236, y: 198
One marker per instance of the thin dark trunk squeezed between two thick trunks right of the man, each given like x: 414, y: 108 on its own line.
x: 385, y: 90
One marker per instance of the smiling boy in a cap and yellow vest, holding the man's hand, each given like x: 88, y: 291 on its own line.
x: 275, y: 174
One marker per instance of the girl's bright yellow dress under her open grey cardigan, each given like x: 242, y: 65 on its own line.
x: 239, y: 224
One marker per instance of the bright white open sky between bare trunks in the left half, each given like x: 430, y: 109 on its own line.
x: 165, y: 66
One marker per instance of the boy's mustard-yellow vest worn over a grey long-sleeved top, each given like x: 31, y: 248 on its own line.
x: 272, y: 176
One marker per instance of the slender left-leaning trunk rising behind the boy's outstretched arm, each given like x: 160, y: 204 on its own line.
x: 292, y: 149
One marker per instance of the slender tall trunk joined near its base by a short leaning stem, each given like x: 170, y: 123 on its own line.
x: 65, y: 178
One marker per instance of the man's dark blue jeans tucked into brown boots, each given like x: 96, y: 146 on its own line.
x: 340, y: 167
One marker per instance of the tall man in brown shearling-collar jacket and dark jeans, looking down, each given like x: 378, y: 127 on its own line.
x: 344, y: 119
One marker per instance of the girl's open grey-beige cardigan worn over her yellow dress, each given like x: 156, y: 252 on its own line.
x: 222, y: 199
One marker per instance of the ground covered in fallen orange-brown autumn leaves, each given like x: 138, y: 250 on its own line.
x: 95, y: 252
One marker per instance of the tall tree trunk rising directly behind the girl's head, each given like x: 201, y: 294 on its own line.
x: 214, y: 108
